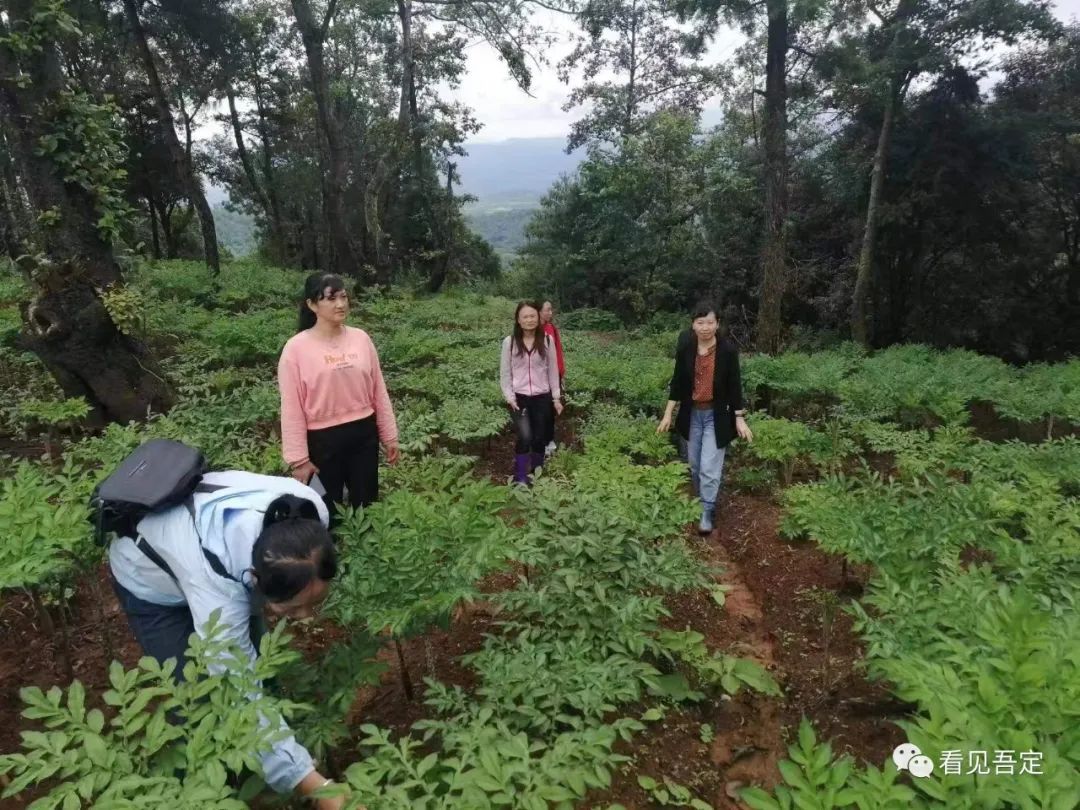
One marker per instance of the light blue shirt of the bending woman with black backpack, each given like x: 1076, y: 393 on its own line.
x: 229, y: 522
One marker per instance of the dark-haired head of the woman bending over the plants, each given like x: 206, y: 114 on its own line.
x: 293, y: 550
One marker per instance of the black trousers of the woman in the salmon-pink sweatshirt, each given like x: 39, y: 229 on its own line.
x: 348, y: 458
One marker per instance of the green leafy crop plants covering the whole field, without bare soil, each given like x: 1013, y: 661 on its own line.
x: 971, y: 612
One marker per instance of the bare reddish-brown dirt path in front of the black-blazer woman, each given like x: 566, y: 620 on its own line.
x: 764, y: 618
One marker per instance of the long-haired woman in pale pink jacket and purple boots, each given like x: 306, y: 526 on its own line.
x: 529, y: 372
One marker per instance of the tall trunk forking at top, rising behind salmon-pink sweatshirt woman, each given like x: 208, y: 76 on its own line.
x: 344, y: 256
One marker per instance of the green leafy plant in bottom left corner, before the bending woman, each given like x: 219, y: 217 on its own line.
x: 156, y: 742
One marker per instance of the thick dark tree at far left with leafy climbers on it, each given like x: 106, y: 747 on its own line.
x: 67, y: 160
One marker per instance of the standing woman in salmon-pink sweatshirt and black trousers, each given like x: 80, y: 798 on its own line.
x: 335, y: 409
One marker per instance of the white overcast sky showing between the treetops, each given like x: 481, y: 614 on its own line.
x: 507, y: 113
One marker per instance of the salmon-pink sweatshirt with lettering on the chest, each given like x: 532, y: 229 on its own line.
x: 323, y: 385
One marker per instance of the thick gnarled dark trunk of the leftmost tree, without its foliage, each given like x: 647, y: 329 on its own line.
x: 66, y: 323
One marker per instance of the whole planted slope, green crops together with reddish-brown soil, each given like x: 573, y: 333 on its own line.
x: 884, y: 557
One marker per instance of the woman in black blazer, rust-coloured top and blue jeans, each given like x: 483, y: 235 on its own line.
x: 708, y: 389
